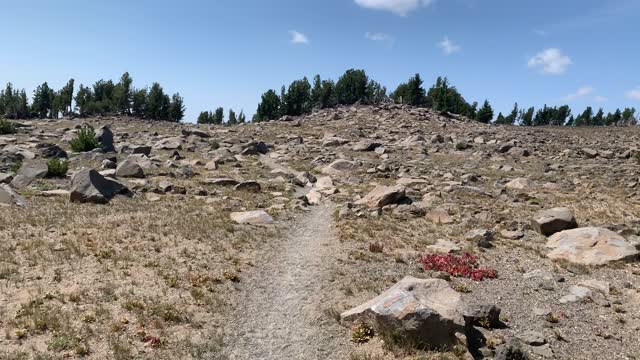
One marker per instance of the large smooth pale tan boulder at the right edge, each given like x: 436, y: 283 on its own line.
x: 589, y: 246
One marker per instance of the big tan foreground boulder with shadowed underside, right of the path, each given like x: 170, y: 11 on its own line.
x: 426, y: 312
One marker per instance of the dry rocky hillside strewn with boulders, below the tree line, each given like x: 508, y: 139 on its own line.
x: 354, y: 233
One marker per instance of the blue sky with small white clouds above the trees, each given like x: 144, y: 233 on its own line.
x: 228, y: 52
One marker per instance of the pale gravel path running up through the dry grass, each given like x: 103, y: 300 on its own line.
x: 280, y: 313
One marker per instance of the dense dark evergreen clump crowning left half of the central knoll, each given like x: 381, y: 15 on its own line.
x: 301, y: 97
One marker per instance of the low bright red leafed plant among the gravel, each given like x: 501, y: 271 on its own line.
x: 465, y: 265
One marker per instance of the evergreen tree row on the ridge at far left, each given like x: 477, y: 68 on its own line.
x: 102, y: 98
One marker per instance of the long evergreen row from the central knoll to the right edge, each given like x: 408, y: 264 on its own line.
x: 354, y: 86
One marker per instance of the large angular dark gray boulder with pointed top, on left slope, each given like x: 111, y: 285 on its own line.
x: 88, y: 186
